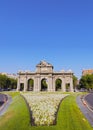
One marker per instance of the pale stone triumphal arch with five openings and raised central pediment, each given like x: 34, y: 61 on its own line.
x: 45, y: 79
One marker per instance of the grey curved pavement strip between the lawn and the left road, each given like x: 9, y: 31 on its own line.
x: 5, y: 105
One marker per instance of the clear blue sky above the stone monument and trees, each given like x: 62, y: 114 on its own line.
x: 58, y: 31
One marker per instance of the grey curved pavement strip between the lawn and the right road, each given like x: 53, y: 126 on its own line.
x: 86, y: 110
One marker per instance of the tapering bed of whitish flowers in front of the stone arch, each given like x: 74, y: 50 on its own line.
x: 44, y: 107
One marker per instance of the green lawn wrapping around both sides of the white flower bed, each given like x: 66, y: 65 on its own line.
x: 69, y: 116
